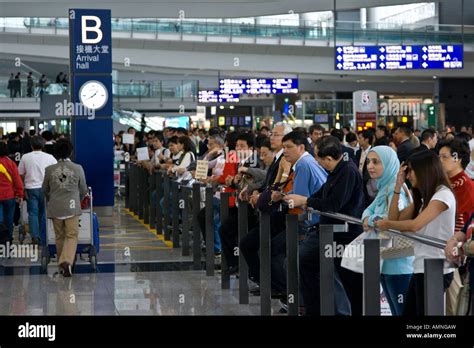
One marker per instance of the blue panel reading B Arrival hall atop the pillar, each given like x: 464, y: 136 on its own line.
x: 91, y: 46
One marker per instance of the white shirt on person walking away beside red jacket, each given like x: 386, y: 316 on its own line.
x: 33, y: 165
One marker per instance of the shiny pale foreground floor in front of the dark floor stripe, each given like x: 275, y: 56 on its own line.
x: 149, y: 293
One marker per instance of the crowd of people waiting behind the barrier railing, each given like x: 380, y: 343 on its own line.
x: 415, y: 182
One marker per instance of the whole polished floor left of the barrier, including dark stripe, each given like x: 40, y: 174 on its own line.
x: 138, y: 274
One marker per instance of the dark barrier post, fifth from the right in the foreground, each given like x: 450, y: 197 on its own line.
x: 265, y: 266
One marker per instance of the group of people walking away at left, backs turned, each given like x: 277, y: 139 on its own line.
x: 37, y: 169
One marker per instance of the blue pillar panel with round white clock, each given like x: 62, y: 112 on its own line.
x: 94, y: 92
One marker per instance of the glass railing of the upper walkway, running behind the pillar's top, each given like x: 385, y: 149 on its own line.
x: 345, y: 31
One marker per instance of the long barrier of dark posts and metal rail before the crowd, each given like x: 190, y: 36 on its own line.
x: 162, y: 202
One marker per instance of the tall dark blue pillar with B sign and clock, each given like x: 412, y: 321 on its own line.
x: 90, y: 61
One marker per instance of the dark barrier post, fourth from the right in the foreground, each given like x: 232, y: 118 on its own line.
x: 293, y: 264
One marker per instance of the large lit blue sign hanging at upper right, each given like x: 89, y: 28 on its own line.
x: 401, y: 57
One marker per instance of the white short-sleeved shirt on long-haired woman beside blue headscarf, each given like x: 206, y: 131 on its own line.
x: 441, y: 227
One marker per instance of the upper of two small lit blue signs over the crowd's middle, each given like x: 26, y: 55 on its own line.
x: 258, y: 86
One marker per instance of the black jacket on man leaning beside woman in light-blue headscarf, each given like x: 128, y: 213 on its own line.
x: 342, y: 193
